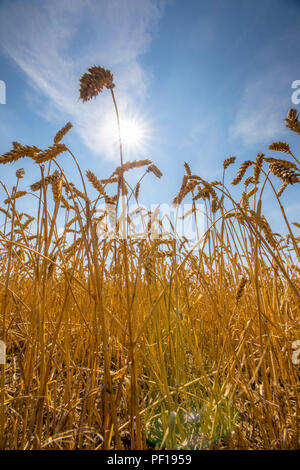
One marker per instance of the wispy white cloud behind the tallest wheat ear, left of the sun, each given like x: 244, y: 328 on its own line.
x: 55, y: 42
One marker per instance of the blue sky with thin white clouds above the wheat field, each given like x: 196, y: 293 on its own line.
x: 210, y: 78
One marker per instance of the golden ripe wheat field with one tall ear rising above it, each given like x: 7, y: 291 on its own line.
x: 142, y: 343
